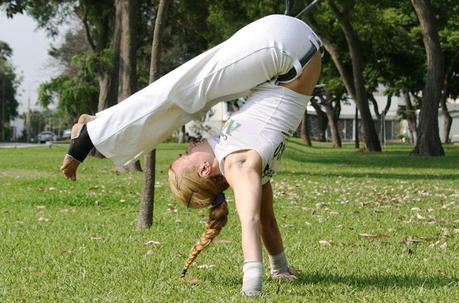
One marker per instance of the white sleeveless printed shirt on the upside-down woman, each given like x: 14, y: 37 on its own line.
x: 270, y: 115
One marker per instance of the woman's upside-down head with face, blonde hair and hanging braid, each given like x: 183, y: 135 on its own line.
x: 195, y: 180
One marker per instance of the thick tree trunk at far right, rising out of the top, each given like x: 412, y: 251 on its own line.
x: 428, y: 142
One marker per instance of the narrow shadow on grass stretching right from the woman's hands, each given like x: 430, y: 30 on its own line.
x: 379, y: 281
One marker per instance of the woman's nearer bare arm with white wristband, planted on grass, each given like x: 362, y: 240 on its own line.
x: 243, y: 173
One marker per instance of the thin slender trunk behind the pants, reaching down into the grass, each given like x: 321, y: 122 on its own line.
x: 145, y: 219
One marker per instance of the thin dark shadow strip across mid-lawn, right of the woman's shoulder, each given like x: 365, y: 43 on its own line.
x: 372, y: 175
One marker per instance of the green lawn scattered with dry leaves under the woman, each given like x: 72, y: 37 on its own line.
x: 78, y: 242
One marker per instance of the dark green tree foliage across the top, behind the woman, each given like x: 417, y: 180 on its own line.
x: 388, y: 31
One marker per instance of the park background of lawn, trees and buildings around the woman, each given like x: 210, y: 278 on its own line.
x: 367, y: 216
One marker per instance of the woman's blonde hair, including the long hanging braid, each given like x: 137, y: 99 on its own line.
x: 195, y: 191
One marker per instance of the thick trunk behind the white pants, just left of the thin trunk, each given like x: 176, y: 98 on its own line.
x: 127, y: 61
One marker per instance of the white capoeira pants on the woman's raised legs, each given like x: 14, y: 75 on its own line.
x: 258, y: 52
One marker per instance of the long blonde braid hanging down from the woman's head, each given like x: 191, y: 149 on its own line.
x: 218, y: 216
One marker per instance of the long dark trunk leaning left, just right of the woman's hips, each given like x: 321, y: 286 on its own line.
x: 370, y: 134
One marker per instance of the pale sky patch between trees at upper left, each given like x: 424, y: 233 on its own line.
x: 30, y: 55
